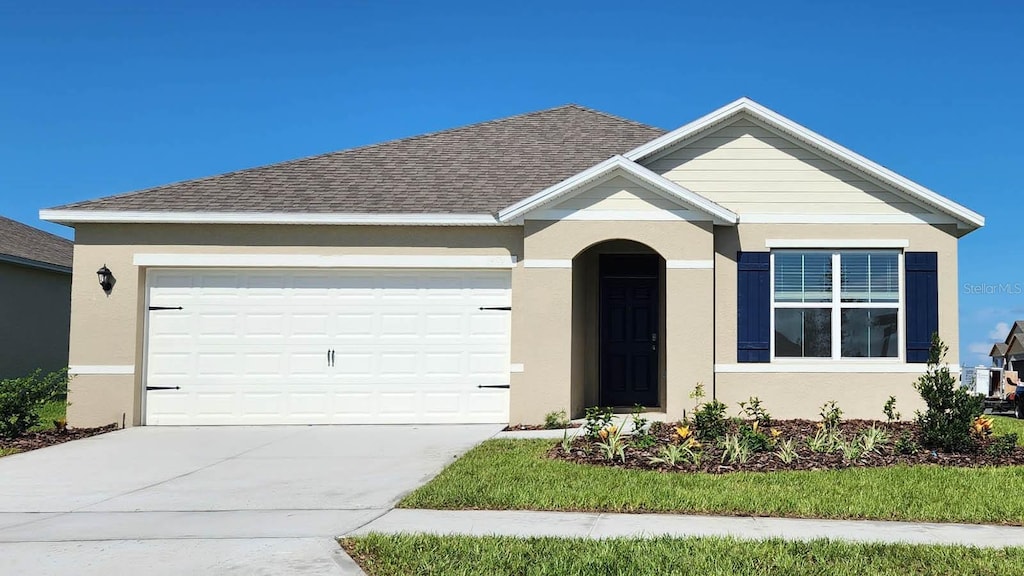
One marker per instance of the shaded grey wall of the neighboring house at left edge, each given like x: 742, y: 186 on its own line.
x: 35, y: 313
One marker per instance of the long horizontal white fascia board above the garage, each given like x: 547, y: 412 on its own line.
x: 117, y: 217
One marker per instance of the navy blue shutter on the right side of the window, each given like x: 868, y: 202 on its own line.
x: 922, y: 300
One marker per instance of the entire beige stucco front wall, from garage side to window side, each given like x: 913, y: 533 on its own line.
x: 700, y: 307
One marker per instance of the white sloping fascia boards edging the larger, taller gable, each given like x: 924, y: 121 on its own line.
x: 965, y: 217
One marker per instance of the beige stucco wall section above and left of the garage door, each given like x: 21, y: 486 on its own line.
x: 108, y: 331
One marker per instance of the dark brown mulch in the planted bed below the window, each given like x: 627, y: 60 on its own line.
x: 585, y: 451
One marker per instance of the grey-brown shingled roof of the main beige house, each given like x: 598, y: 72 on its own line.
x: 481, y: 169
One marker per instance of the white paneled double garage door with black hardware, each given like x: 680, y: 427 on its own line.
x: 327, y: 347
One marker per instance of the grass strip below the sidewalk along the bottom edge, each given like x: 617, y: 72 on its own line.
x: 425, y: 555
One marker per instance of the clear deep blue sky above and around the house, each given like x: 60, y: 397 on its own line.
x: 103, y: 98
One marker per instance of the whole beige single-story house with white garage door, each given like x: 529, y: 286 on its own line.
x: 495, y: 273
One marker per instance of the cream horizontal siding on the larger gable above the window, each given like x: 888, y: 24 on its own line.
x: 751, y: 170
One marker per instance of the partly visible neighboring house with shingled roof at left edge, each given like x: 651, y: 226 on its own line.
x: 35, y: 300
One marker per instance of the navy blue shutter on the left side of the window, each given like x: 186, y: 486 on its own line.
x: 753, y: 307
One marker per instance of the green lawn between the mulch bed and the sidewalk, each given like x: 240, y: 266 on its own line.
x: 516, y: 475
